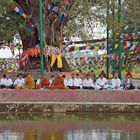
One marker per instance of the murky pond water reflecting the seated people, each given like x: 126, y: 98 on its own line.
x: 70, y: 127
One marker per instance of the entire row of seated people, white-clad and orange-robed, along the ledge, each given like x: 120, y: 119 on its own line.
x: 61, y: 82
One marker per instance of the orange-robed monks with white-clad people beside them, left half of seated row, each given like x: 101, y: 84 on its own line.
x: 27, y: 82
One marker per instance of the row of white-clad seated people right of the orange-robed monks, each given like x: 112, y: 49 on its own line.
x: 101, y: 83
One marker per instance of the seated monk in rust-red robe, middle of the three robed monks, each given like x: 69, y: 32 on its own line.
x: 43, y: 82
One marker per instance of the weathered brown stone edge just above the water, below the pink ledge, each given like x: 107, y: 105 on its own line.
x: 64, y: 107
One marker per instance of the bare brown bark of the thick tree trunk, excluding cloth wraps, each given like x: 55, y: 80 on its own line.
x: 52, y: 27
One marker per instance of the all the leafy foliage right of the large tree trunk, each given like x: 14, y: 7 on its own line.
x: 96, y: 12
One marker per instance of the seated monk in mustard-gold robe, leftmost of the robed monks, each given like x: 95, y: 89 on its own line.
x: 29, y: 82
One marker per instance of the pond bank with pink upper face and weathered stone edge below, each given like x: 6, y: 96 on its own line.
x: 69, y: 101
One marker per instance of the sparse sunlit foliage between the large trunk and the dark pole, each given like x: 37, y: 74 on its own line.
x: 83, y: 18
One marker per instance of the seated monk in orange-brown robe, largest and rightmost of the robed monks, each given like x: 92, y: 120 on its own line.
x: 58, y: 83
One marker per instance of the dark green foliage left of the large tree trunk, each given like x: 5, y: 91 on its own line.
x: 10, y: 22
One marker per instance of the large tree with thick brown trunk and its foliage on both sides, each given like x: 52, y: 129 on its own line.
x: 68, y: 18
